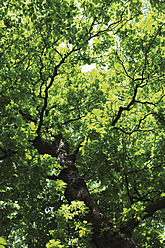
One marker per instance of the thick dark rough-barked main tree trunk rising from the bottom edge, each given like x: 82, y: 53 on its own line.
x: 77, y: 190
